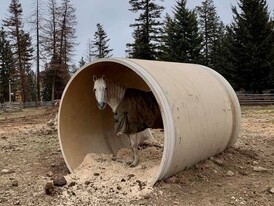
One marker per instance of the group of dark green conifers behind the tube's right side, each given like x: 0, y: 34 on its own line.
x: 243, y: 51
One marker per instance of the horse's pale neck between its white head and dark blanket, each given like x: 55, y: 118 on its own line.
x: 115, y: 94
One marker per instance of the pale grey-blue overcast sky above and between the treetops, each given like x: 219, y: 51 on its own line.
x: 115, y: 18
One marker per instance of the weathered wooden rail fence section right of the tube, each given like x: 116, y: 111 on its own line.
x: 256, y: 99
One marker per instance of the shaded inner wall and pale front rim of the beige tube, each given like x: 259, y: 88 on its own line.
x: 83, y: 128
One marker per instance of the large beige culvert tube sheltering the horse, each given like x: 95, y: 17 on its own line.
x: 199, y: 108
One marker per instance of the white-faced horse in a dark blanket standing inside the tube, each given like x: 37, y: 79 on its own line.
x: 135, y: 111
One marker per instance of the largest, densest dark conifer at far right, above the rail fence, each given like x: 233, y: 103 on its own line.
x: 251, y: 45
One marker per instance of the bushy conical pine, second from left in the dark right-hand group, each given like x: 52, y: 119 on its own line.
x: 182, y: 40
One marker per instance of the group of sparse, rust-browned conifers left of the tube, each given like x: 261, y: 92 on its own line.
x: 50, y: 45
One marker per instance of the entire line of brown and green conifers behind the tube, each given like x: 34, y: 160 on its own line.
x: 242, y: 51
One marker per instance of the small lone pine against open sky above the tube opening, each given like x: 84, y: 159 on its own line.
x: 100, y: 46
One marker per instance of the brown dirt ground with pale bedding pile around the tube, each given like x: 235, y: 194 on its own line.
x: 30, y: 157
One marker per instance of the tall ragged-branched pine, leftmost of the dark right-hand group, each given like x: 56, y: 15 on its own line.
x: 147, y: 29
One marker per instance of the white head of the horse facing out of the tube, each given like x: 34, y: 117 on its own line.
x: 100, y: 91
